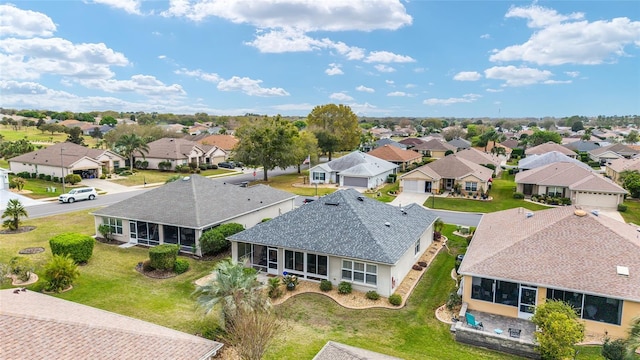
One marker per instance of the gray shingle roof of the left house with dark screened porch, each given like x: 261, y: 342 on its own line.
x: 195, y: 203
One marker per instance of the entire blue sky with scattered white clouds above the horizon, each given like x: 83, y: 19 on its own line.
x: 381, y: 57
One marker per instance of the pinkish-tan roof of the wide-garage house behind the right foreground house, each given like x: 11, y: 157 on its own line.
x: 570, y: 175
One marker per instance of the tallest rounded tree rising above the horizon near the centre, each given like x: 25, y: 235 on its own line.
x: 337, y: 120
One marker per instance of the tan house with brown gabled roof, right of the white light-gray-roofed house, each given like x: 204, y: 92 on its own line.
x: 443, y: 175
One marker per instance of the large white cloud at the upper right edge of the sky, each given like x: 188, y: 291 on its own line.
x: 568, y: 39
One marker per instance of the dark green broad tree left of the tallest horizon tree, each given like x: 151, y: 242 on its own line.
x: 267, y: 142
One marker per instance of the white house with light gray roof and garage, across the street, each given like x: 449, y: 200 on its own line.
x: 356, y: 169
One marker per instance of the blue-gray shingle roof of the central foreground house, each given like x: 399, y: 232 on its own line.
x: 353, y: 228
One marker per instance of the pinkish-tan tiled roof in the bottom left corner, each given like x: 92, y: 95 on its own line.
x: 38, y: 326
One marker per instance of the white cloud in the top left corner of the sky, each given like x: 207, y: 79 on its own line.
x: 24, y: 23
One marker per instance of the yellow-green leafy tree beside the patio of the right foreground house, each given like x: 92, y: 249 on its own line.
x: 560, y: 330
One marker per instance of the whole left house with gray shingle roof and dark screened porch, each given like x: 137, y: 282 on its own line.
x: 180, y: 211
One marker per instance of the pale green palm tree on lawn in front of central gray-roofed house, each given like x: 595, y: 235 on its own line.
x: 231, y: 288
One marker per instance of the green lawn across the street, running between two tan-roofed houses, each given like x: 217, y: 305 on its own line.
x: 501, y: 192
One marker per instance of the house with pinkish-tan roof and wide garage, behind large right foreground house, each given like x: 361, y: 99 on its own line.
x: 568, y: 180
